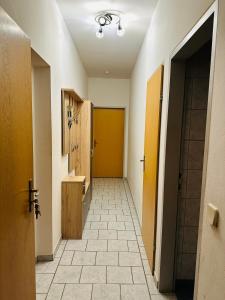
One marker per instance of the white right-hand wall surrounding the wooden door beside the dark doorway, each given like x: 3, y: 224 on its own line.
x: 171, y: 21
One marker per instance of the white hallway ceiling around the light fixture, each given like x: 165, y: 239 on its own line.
x: 112, y: 53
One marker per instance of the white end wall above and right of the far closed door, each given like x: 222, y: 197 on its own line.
x: 112, y: 93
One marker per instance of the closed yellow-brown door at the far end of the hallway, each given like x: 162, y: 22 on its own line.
x: 108, y: 142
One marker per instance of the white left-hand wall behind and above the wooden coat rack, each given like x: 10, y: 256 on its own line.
x: 43, y: 23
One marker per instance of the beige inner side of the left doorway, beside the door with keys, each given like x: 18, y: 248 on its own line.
x: 42, y: 157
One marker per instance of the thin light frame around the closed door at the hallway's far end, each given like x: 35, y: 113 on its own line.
x: 125, y: 140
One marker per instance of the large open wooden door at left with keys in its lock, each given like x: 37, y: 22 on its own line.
x: 17, y: 256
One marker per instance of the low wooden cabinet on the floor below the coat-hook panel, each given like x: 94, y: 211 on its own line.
x: 75, y: 205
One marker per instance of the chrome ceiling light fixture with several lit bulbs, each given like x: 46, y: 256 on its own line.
x: 107, y: 18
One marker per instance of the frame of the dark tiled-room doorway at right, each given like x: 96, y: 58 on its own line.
x: 170, y: 185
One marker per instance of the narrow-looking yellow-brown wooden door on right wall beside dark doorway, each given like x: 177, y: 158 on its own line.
x: 151, y: 152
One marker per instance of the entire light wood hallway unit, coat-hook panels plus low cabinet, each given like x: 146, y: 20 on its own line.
x: 77, y: 143
